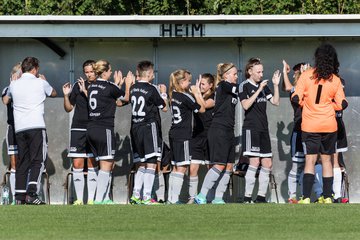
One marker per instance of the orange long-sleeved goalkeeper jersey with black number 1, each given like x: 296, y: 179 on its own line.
x: 319, y: 101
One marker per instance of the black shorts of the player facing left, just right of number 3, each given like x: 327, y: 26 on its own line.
x: 199, y: 150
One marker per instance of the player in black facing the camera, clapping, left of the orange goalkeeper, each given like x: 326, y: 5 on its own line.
x: 254, y: 94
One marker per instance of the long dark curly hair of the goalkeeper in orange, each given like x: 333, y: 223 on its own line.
x: 326, y: 62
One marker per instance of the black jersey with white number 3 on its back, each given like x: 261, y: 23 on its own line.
x: 182, y: 107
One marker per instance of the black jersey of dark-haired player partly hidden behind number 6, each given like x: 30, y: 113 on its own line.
x: 79, y: 100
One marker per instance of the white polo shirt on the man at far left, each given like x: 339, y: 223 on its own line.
x: 28, y: 94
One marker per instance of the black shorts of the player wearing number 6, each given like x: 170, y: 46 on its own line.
x: 102, y: 142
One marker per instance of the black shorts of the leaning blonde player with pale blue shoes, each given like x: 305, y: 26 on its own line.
x: 221, y: 146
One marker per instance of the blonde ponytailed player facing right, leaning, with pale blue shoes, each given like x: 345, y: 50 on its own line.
x: 221, y: 134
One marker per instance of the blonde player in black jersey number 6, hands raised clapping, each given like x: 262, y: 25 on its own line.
x: 102, y: 96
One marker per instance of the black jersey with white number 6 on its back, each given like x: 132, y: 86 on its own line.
x: 102, y: 102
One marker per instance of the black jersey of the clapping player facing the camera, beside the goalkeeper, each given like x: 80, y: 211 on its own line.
x: 255, y: 116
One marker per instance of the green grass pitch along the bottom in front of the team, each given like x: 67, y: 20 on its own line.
x: 231, y: 221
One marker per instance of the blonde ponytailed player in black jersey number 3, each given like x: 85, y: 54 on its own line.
x: 182, y: 105
